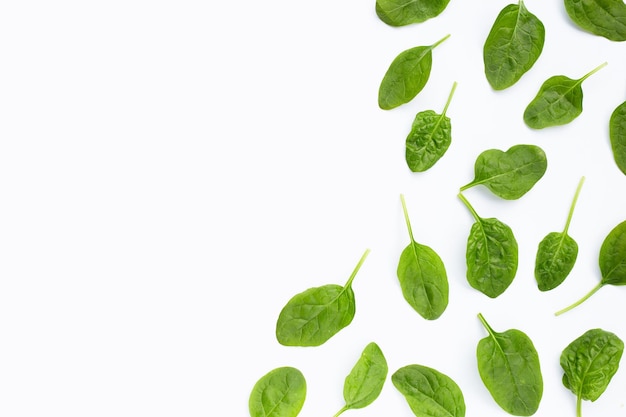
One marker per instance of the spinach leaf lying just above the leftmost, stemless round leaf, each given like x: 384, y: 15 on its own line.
x: 313, y: 316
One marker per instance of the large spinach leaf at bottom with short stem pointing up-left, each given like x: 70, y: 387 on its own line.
x: 509, y: 367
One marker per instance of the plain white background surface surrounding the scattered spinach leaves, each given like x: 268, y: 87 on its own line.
x: 171, y: 173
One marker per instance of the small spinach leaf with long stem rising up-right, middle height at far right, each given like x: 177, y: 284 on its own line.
x: 556, y: 253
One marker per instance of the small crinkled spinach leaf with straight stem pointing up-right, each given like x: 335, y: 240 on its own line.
x: 429, y: 138
